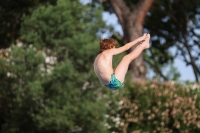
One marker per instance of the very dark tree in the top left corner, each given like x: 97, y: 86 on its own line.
x: 10, y: 17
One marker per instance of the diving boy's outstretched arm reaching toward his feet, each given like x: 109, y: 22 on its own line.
x: 127, y: 46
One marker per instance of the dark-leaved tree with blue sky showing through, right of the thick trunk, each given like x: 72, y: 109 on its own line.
x: 176, y: 26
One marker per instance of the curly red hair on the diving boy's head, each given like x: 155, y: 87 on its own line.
x: 106, y: 44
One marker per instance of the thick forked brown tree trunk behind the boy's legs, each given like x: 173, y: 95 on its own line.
x: 132, y: 25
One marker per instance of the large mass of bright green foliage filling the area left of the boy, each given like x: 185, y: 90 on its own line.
x: 47, y: 84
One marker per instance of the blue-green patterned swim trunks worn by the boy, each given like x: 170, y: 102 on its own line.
x: 114, y: 83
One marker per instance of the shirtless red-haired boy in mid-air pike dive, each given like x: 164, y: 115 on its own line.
x: 111, y: 78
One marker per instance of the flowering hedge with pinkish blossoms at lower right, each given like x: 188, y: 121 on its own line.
x: 156, y: 107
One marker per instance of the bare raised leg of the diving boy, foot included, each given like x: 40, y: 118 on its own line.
x: 122, y: 67
